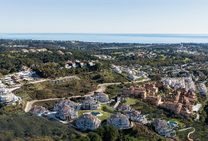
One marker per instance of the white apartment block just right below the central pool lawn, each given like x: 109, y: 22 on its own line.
x: 119, y: 121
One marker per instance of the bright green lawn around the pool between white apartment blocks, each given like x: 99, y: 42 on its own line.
x: 103, y: 117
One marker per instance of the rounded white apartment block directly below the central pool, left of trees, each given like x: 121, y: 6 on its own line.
x: 88, y: 121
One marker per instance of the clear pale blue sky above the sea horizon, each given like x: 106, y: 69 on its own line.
x: 104, y: 16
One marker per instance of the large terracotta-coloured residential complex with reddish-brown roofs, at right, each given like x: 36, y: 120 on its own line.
x: 180, y: 100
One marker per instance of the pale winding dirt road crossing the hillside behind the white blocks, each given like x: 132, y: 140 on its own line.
x: 101, y: 88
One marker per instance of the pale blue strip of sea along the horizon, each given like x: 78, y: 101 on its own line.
x: 110, y: 38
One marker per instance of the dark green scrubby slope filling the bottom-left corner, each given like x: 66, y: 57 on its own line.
x: 25, y: 127
